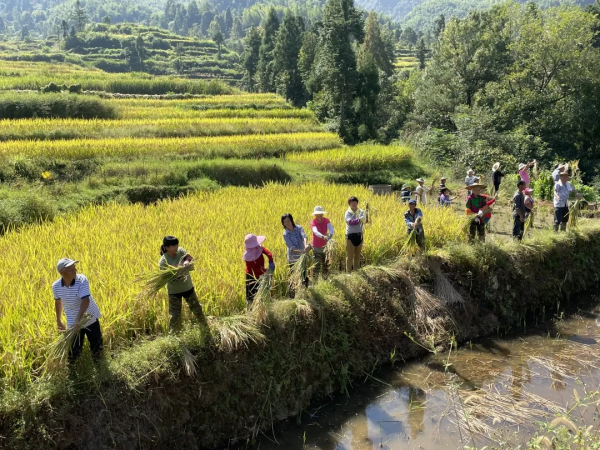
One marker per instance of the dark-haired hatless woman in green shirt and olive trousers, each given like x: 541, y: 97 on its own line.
x: 171, y: 254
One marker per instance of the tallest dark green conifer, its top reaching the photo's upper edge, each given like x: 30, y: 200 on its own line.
x: 335, y: 65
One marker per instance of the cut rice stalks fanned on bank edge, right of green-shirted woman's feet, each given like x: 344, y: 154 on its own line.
x: 235, y: 332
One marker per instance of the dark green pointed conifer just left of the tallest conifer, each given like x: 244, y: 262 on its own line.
x: 288, y: 81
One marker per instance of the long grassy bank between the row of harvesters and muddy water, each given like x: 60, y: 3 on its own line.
x: 249, y: 374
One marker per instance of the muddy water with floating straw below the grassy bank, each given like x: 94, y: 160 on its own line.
x: 494, y: 392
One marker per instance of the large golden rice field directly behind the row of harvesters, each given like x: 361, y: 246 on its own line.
x: 116, y: 243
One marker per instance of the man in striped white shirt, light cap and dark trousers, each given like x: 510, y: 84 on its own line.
x: 72, y: 294
